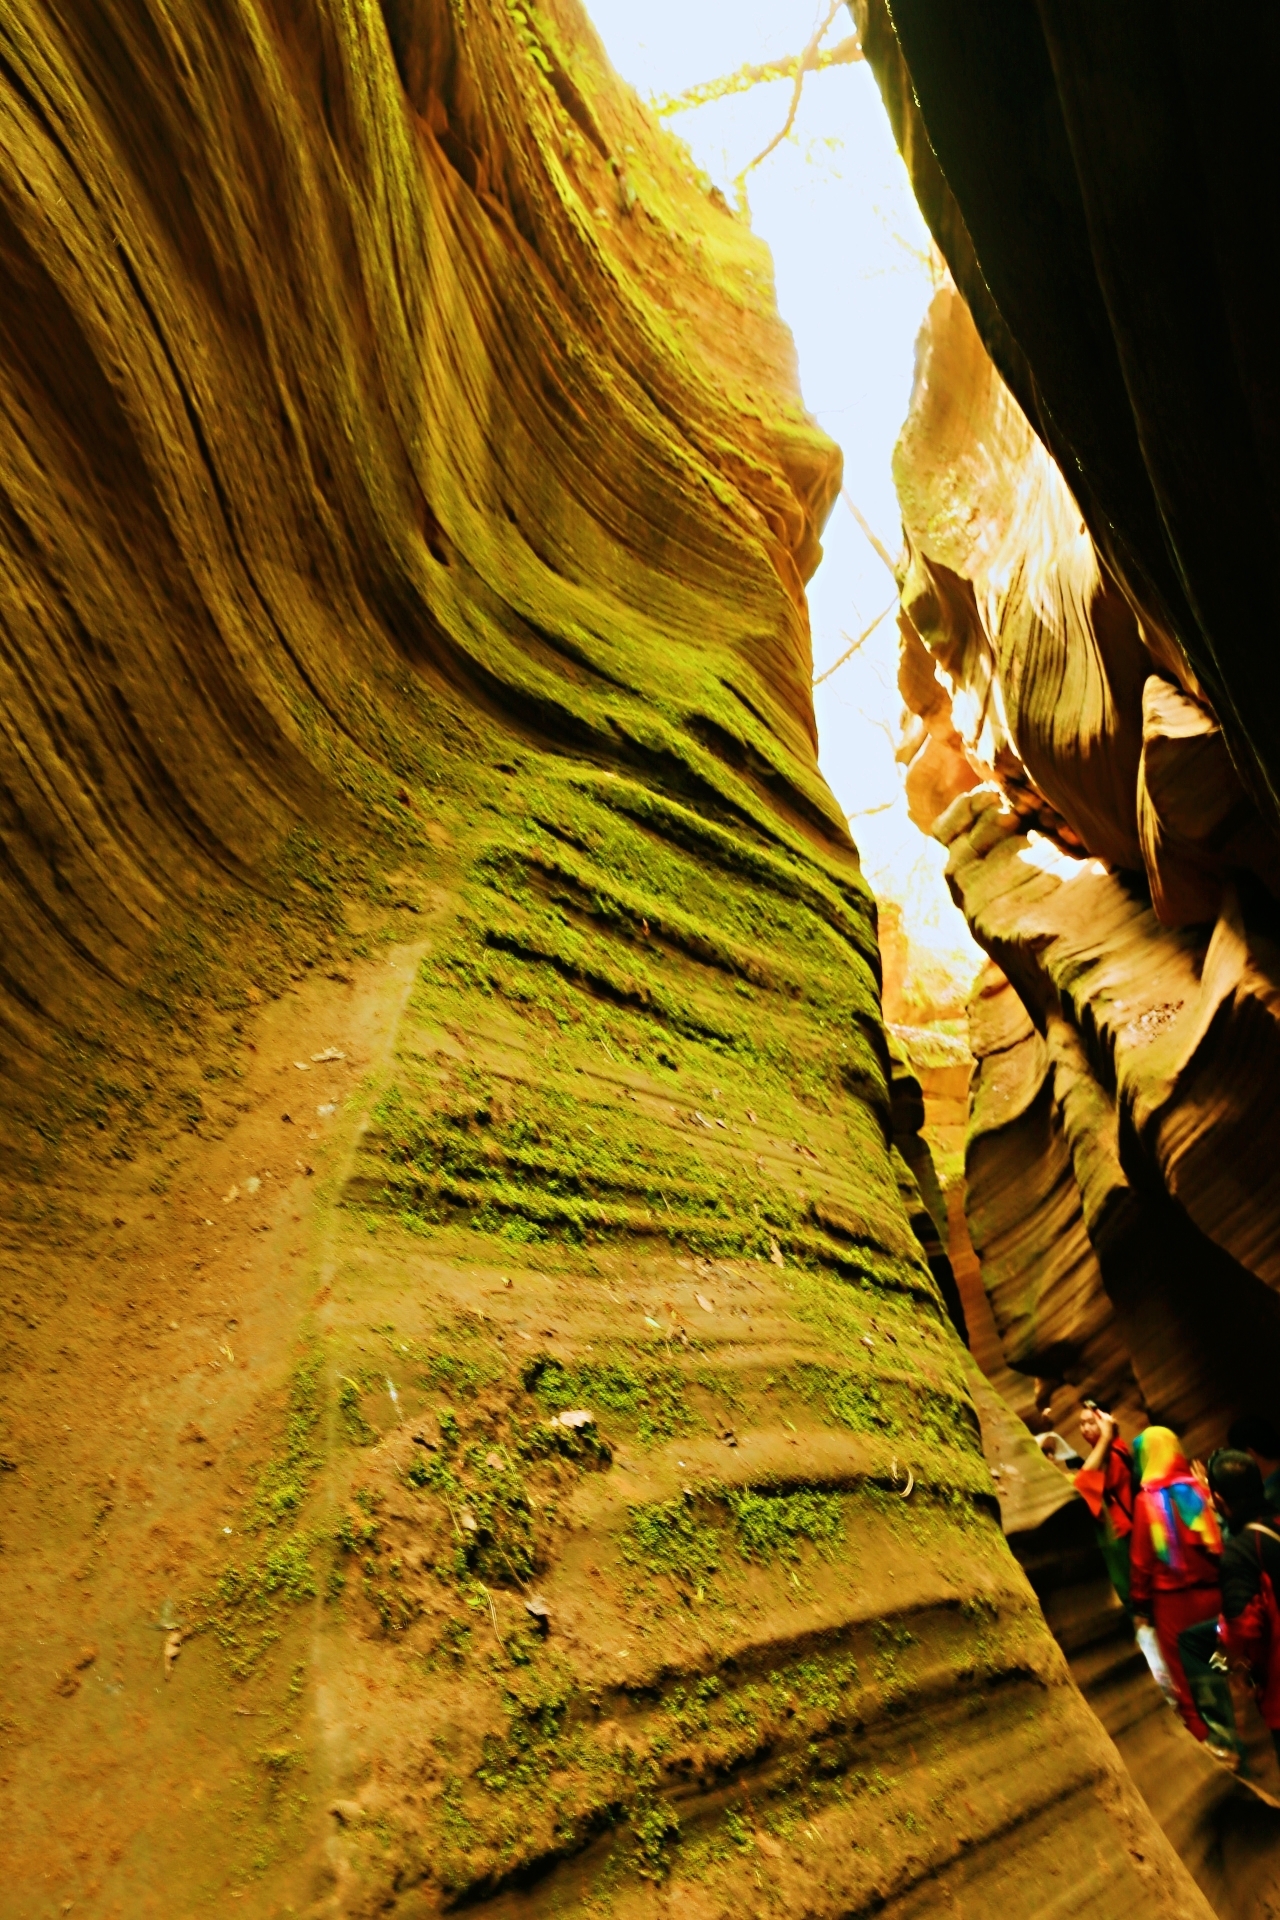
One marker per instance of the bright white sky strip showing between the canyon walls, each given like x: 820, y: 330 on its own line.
x: 853, y: 283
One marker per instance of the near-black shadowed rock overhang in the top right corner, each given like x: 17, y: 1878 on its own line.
x: 1074, y: 166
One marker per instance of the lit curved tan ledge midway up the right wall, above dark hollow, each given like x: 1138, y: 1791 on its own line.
x: 1179, y: 1032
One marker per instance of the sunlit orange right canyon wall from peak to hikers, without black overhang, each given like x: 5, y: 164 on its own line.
x: 1112, y: 867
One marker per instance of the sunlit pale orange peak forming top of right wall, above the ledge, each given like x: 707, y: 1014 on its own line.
x: 1041, y: 661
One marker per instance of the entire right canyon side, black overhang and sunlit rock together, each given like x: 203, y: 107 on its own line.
x: 1091, y: 734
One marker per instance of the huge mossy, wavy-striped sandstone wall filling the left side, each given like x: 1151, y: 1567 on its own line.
x: 469, y: 1339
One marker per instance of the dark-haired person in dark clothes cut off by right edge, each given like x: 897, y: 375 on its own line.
x: 1250, y: 1573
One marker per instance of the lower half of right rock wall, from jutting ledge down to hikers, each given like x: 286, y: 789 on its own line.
x: 1160, y: 1122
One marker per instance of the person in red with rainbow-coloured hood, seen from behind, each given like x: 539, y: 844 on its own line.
x: 1173, y: 1556
